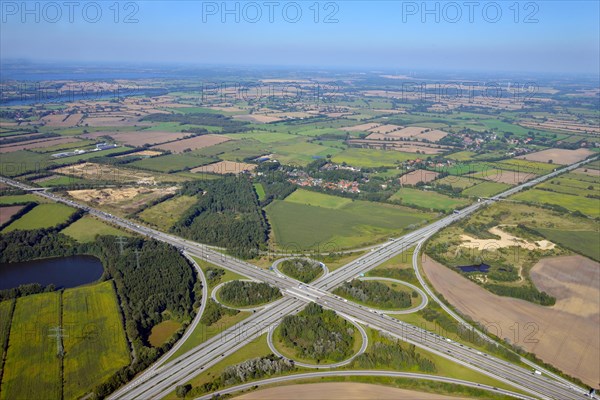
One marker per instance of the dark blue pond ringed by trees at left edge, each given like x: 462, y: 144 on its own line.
x: 63, y: 272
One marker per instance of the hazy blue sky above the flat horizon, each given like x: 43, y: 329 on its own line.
x: 553, y: 36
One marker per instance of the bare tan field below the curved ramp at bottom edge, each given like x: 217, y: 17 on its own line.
x: 339, y: 391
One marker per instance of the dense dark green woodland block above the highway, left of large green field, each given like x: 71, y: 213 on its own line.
x: 227, y: 215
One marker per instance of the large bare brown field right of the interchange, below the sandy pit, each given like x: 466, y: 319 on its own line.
x: 564, y: 335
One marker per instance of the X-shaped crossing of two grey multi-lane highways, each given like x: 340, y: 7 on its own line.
x: 156, y: 383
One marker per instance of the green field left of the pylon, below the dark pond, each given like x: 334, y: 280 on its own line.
x: 32, y: 369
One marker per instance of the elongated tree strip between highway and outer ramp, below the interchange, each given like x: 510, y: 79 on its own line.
x: 254, y: 368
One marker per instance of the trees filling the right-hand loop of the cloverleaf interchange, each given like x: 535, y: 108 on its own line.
x: 374, y: 293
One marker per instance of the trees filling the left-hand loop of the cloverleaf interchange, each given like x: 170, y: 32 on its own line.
x: 244, y: 293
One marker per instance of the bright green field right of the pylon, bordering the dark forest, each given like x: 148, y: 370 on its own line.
x: 96, y: 346
